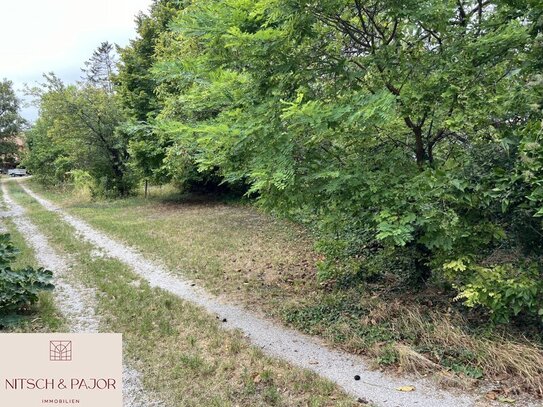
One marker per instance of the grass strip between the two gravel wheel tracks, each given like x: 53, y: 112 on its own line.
x: 182, y: 352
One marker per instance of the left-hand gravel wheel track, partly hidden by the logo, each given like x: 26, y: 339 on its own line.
x: 77, y: 303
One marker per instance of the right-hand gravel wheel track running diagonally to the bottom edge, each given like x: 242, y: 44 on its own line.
x: 278, y: 341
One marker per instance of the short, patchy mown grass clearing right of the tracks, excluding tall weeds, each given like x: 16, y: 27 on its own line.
x: 228, y: 248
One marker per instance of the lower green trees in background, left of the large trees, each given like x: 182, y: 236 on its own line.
x: 79, y: 136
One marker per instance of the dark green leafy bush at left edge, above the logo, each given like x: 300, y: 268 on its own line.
x: 19, y: 289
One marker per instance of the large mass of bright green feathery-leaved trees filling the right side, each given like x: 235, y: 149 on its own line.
x: 406, y: 133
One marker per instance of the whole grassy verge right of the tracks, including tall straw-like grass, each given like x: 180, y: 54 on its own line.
x: 269, y: 265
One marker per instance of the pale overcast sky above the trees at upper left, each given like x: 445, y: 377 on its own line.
x: 38, y: 36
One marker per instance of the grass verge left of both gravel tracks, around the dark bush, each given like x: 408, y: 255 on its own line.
x: 45, y: 317
